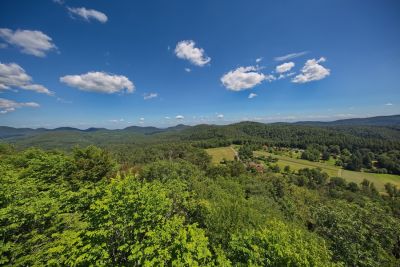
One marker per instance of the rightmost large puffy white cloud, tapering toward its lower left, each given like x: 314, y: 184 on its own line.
x: 312, y: 71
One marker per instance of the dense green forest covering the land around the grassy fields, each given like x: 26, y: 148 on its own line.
x: 145, y: 197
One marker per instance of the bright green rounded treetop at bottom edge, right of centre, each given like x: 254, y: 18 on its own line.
x: 279, y: 244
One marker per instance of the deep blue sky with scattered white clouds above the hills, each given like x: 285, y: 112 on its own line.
x: 93, y: 63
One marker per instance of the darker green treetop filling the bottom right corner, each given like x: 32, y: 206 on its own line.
x: 358, y: 236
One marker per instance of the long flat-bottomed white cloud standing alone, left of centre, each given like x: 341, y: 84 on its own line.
x: 99, y: 82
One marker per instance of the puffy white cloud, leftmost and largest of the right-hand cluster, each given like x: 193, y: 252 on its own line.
x: 244, y: 78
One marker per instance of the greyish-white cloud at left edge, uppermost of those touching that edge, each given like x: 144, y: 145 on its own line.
x: 30, y: 42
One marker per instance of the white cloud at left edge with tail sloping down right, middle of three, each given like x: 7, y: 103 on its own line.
x: 13, y: 75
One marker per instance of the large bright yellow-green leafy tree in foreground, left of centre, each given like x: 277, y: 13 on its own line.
x: 134, y: 224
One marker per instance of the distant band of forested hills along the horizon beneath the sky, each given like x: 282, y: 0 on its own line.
x: 378, y: 138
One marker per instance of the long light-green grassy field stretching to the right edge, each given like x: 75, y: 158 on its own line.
x: 295, y: 164
